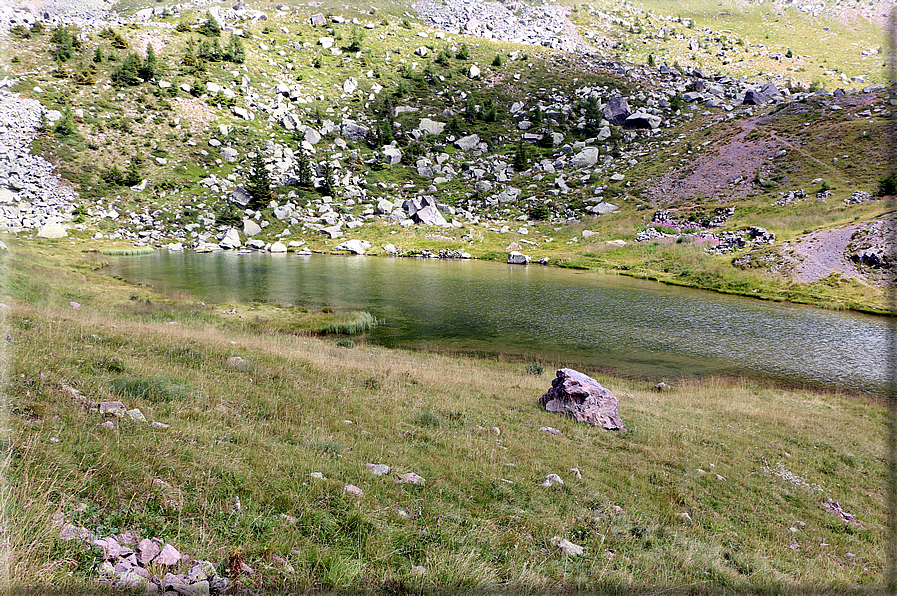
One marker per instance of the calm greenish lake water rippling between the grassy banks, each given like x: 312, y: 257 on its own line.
x: 556, y: 316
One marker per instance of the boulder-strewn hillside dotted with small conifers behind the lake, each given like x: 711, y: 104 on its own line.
x: 489, y: 128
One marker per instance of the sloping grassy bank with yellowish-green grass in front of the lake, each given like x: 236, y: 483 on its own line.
x: 716, y: 487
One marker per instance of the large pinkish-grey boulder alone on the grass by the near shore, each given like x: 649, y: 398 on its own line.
x: 582, y: 398
